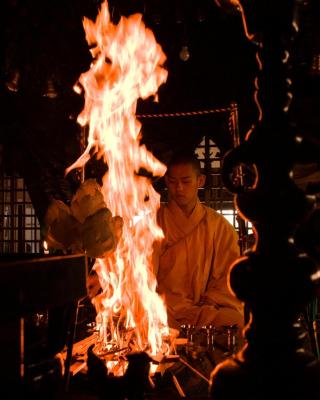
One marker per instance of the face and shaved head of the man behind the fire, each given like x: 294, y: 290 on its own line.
x: 183, y: 182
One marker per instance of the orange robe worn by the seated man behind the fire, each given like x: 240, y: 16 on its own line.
x: 192, y: 265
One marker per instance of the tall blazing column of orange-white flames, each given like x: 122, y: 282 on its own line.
x: 127, y: 65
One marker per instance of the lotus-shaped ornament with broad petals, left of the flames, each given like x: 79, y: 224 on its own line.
x: 86, y: 226
